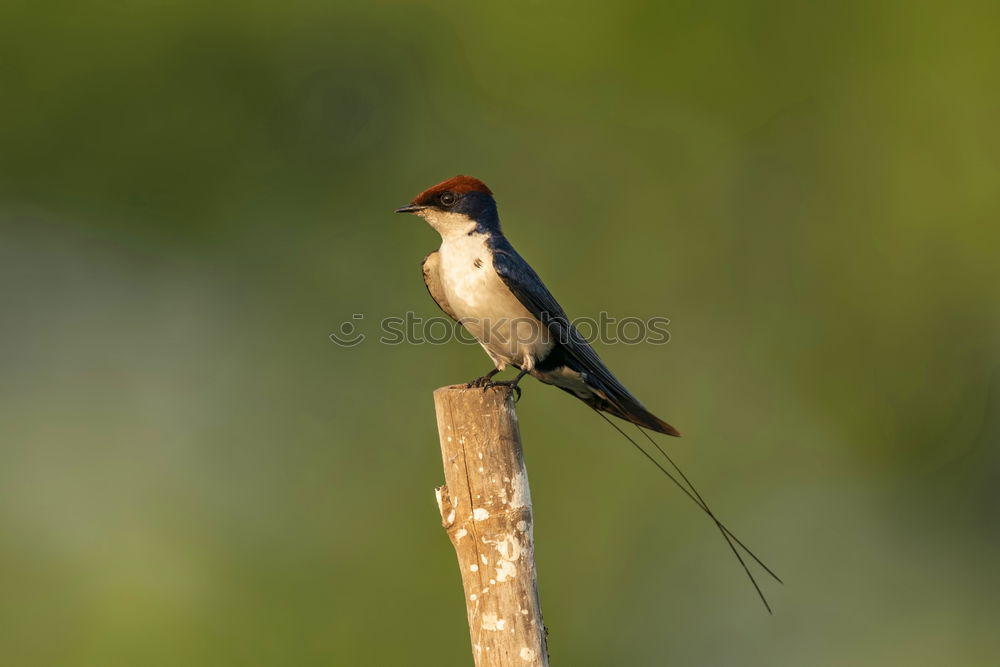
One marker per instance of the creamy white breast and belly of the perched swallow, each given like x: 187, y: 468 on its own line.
x: 484, y: 305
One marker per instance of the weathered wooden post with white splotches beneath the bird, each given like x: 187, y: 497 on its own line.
x: 486, y: 510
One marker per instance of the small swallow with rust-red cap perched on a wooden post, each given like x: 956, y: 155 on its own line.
x: 479, y: 280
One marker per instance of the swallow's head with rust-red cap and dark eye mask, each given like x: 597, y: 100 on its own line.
x: 459, y: 205
